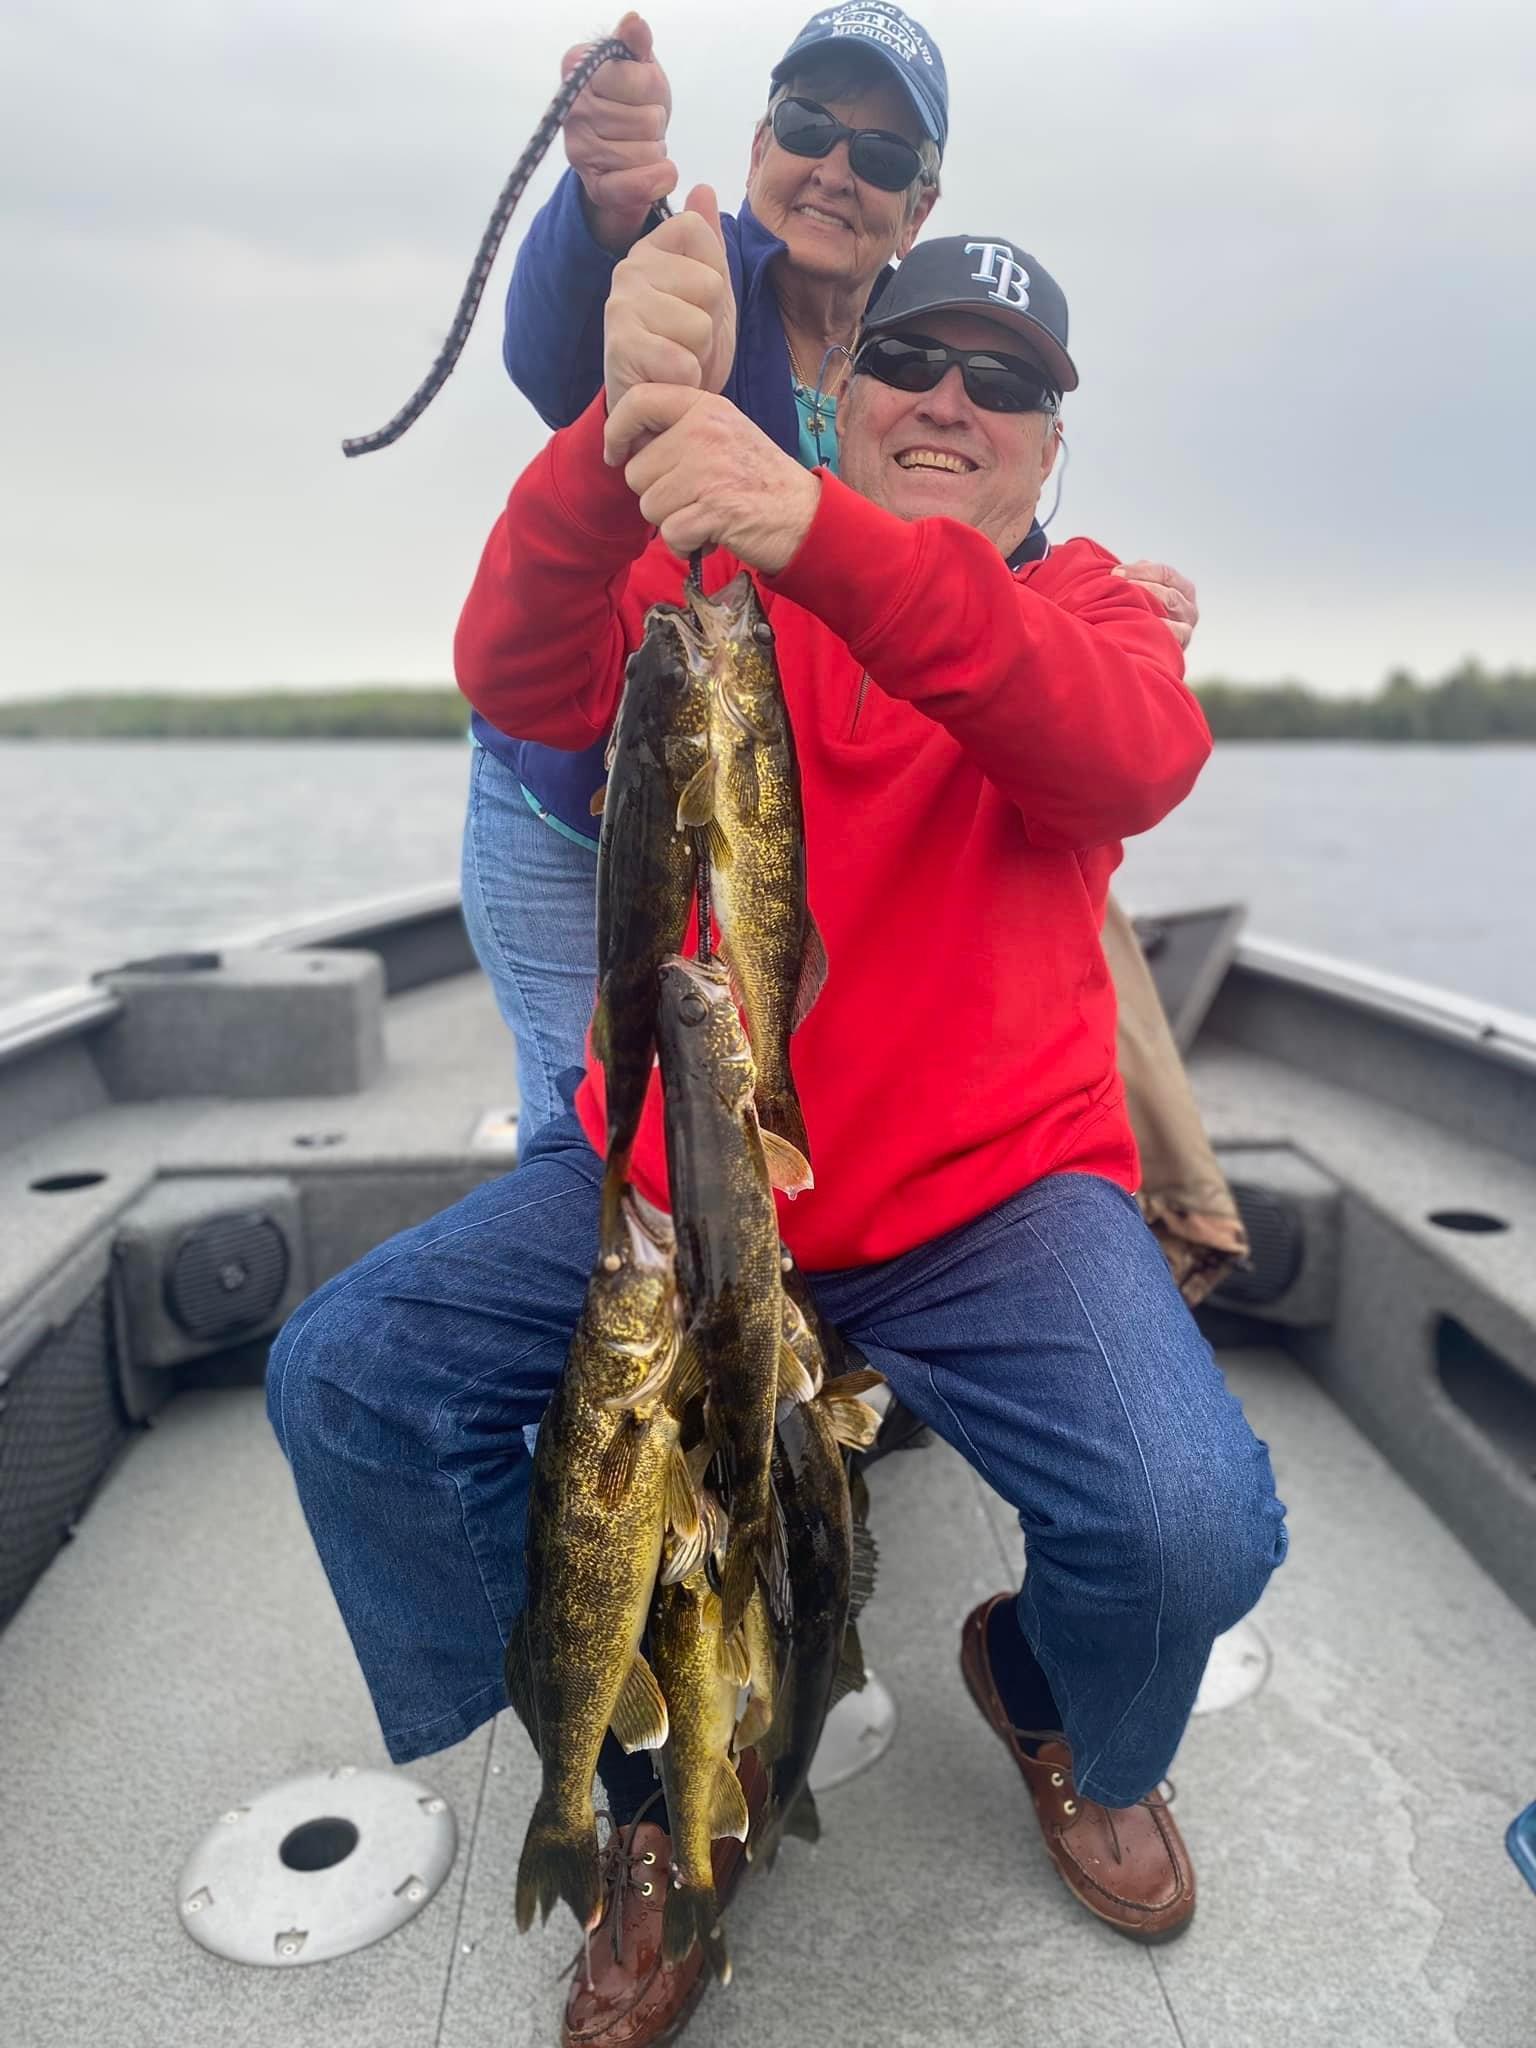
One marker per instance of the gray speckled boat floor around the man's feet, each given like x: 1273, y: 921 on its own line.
x: 1347, y: 1822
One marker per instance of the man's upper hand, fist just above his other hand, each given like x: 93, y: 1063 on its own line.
x: 671, y: 314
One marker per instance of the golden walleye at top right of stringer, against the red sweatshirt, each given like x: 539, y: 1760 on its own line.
x: 746, y: 798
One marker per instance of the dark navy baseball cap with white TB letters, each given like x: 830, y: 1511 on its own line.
x: 982, y: 275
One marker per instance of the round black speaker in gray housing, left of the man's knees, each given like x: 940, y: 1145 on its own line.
x: 200, y: 1267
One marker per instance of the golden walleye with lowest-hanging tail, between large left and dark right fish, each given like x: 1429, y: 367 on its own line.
x: 701, y: 1674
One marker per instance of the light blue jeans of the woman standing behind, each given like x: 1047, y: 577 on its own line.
x: 531, y: 910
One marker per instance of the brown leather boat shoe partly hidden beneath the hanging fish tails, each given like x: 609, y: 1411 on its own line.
x: 626, y: 1994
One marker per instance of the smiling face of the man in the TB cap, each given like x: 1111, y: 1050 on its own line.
x: 935, y: 454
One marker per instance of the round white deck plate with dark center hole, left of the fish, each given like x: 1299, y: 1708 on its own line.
x: 370, y: 1848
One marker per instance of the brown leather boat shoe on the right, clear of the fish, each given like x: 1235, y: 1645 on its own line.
x: 1127, y: 1865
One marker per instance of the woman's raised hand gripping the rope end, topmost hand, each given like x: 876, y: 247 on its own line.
x: 617, y: 138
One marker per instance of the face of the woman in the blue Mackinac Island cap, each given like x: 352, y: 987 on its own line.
x: 833, y: 224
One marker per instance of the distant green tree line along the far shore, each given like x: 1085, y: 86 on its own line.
x: 1471, y: 706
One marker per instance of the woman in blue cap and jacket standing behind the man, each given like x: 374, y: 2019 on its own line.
x: 845, y: 173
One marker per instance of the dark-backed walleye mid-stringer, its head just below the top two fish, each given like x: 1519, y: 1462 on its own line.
x: 728, y: 1254
